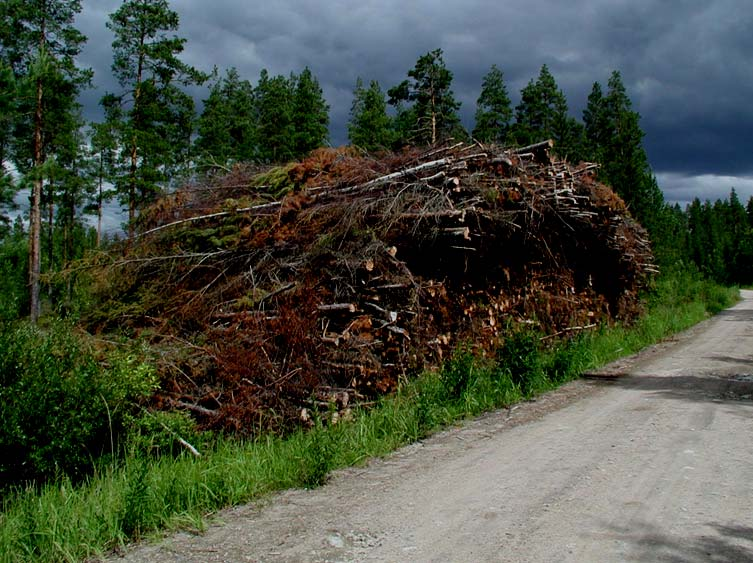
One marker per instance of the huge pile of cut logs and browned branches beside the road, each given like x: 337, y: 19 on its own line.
x: 273, y: 293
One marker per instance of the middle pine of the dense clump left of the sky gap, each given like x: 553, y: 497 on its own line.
x: 274, y: 117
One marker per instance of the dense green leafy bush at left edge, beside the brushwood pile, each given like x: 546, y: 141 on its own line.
x: 61, y: 406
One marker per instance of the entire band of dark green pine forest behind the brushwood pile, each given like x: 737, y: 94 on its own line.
x: 150, y: 137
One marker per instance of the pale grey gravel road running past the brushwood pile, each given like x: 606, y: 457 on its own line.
x: 653, y: 465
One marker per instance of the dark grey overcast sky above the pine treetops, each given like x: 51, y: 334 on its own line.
x: 687, y: 64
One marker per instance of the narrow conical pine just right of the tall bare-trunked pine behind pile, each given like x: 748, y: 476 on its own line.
x: 493, y: 109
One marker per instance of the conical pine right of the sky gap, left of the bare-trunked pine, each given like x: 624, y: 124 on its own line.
x: 369, y: 128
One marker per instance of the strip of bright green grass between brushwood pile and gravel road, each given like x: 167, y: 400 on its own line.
x: 140, y: 497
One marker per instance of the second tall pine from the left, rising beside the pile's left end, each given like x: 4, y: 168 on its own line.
x: 155, y: 114
